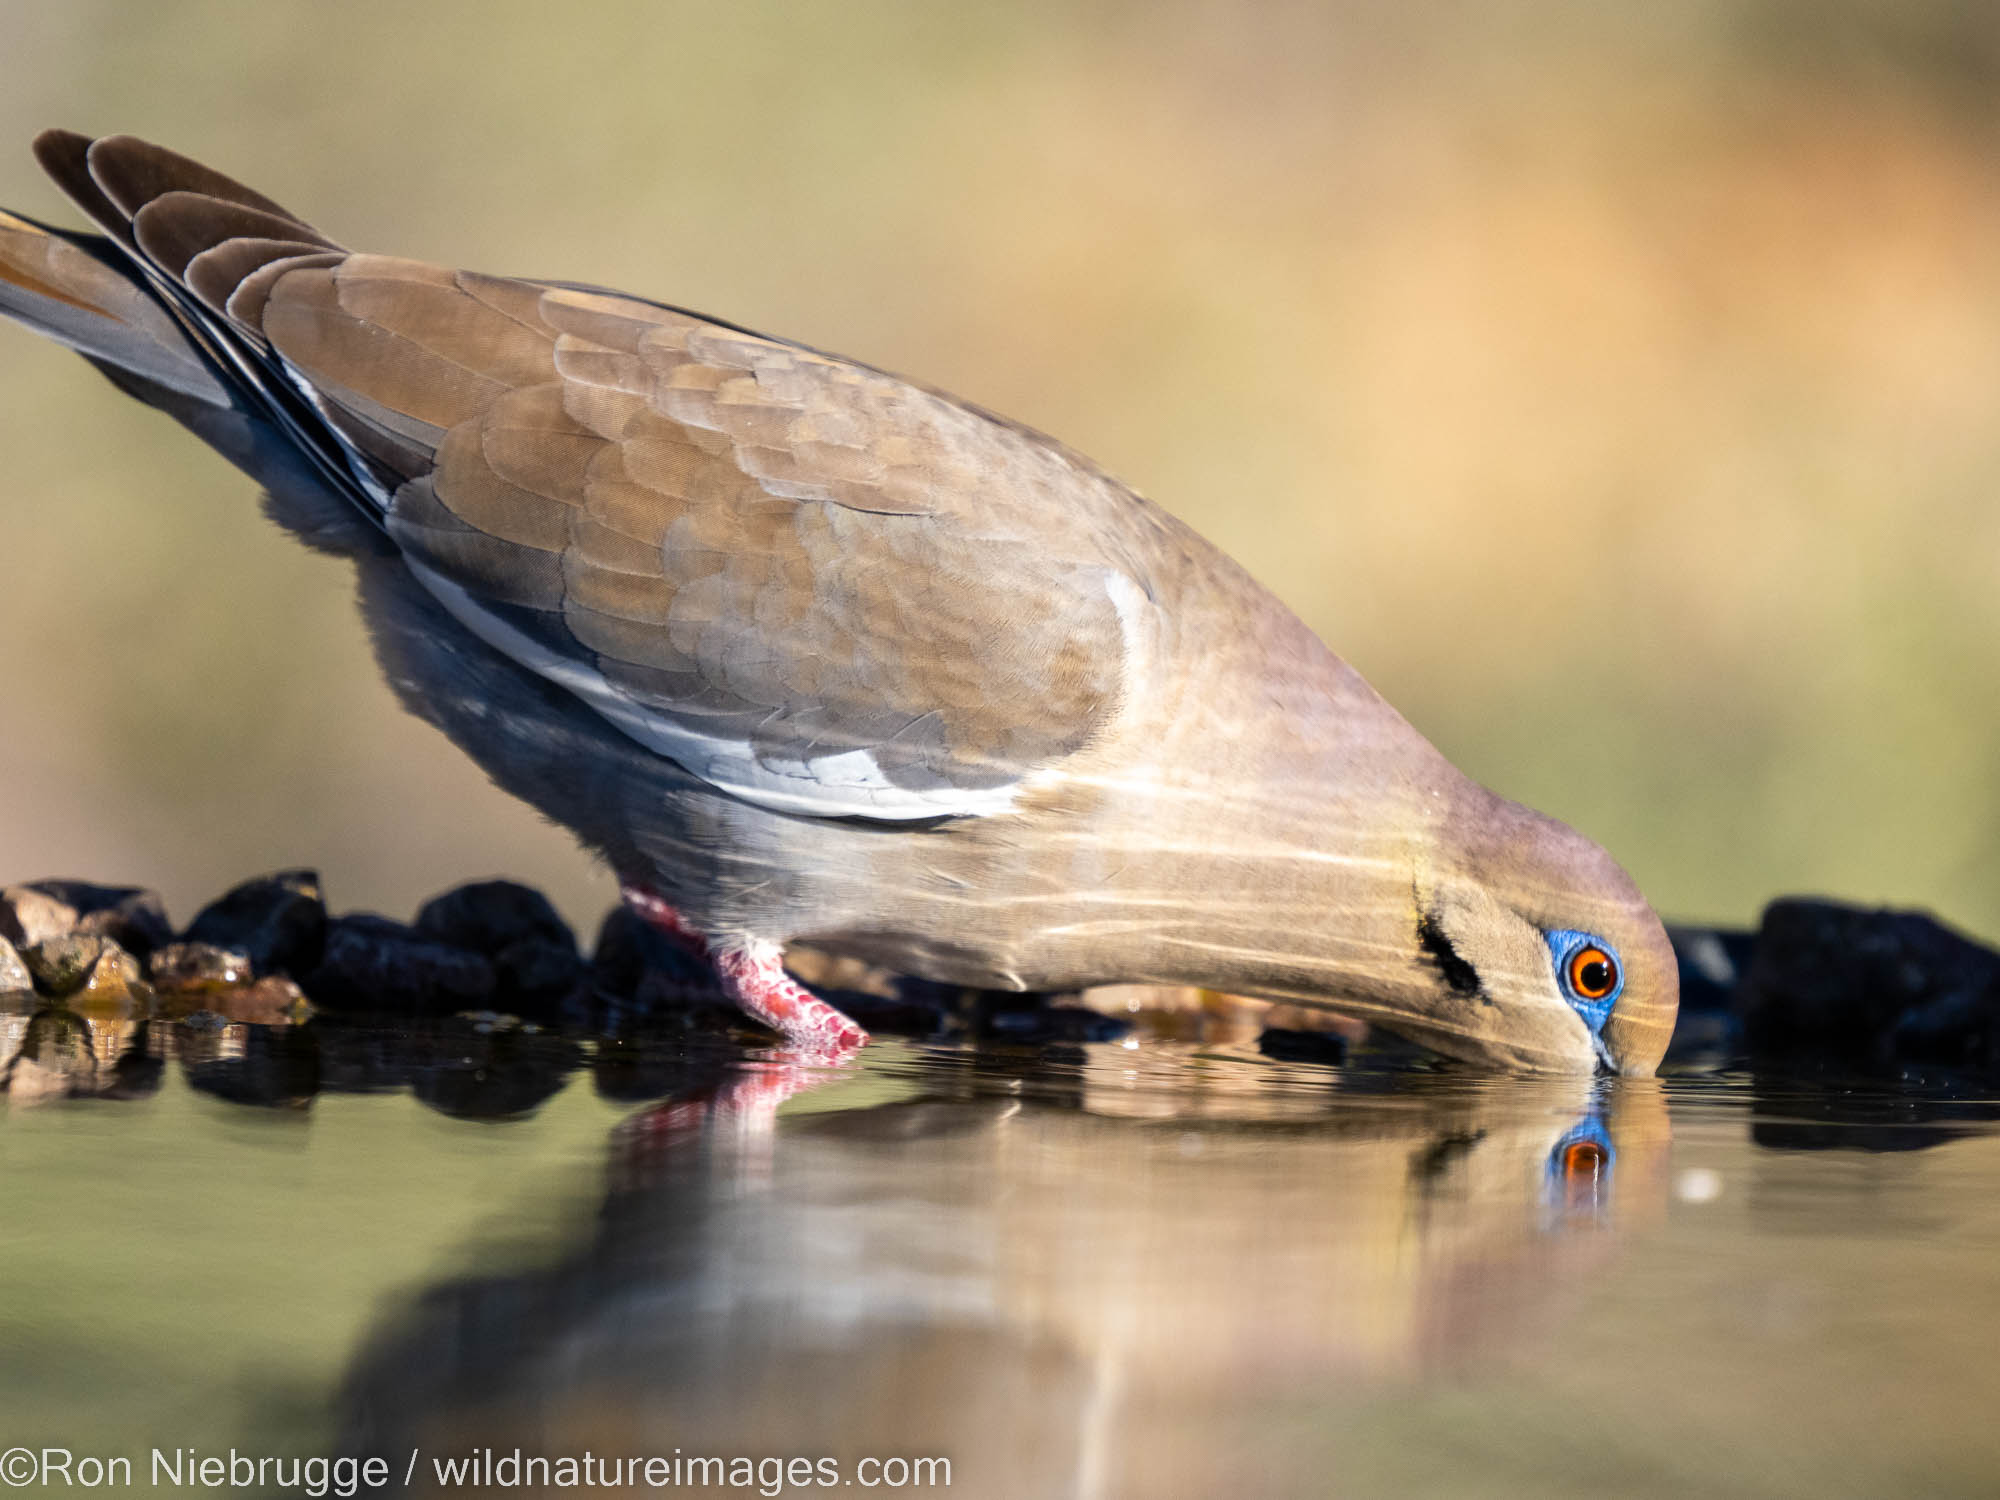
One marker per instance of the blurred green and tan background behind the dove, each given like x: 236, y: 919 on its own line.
x: 1617, y: 387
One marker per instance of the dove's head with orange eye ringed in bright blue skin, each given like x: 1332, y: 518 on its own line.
x: 1535, y: 947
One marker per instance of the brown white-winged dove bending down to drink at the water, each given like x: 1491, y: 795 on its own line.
x: 813, y: 653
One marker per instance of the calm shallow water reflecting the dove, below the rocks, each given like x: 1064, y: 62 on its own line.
x: 1131, y: 1269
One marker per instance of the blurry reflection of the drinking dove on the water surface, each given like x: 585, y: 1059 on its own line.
x: 1061, y: 1301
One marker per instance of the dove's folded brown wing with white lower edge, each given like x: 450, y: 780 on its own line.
x: 811, y: 583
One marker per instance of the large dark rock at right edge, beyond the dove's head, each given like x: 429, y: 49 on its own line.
x: 1869, y: 987
